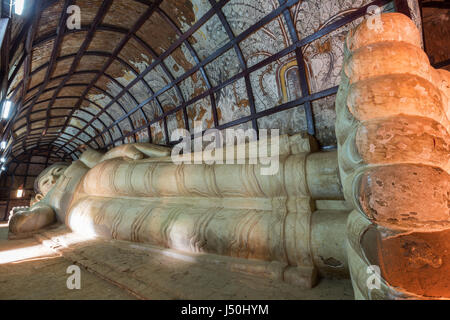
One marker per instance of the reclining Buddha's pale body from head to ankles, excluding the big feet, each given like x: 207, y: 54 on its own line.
x: 135, y: 192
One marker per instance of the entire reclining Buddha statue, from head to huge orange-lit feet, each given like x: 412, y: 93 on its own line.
x: 378, y: 207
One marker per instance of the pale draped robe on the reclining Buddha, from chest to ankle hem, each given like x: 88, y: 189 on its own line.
x: 226, y: 209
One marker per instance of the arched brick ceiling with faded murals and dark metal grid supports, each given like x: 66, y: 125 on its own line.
x: 138, y: 69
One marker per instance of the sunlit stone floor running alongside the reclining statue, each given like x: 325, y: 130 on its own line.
x: 35, y: 268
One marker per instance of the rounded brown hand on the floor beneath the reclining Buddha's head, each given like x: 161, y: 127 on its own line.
x: 31, y: 219
